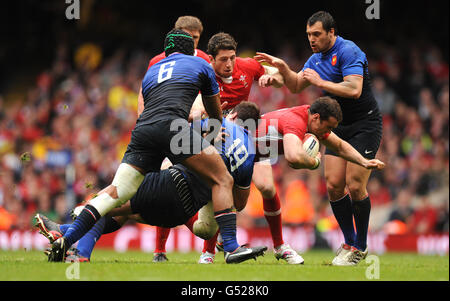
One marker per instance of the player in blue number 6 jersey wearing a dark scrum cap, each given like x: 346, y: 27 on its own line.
x: 169, y: 88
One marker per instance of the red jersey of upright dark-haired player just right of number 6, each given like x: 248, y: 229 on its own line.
x: 245, y: 72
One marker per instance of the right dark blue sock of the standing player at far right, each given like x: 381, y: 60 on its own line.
x: 361, y: 213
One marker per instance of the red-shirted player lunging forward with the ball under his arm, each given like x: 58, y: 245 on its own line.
x: 281, y: 132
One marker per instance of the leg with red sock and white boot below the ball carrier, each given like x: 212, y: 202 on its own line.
x: 264, y: 182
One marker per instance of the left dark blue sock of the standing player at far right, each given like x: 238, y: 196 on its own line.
x: 343, y: 212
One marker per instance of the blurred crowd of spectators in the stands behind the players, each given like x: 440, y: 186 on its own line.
x: 64, y: 138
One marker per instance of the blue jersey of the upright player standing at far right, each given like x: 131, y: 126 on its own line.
x: 346, y: 58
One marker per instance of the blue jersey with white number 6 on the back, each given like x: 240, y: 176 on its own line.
x: 170, y: 87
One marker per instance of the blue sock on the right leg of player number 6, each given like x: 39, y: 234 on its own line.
x: 226, y: 219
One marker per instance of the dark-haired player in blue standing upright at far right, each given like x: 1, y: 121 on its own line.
x: 340, y: 69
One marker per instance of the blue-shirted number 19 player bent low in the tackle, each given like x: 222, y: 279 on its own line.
x: 171, y: 197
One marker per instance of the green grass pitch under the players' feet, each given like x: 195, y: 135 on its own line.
x: 138, y: 266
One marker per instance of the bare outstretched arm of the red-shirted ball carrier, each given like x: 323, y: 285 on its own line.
x: 346, y: 151
